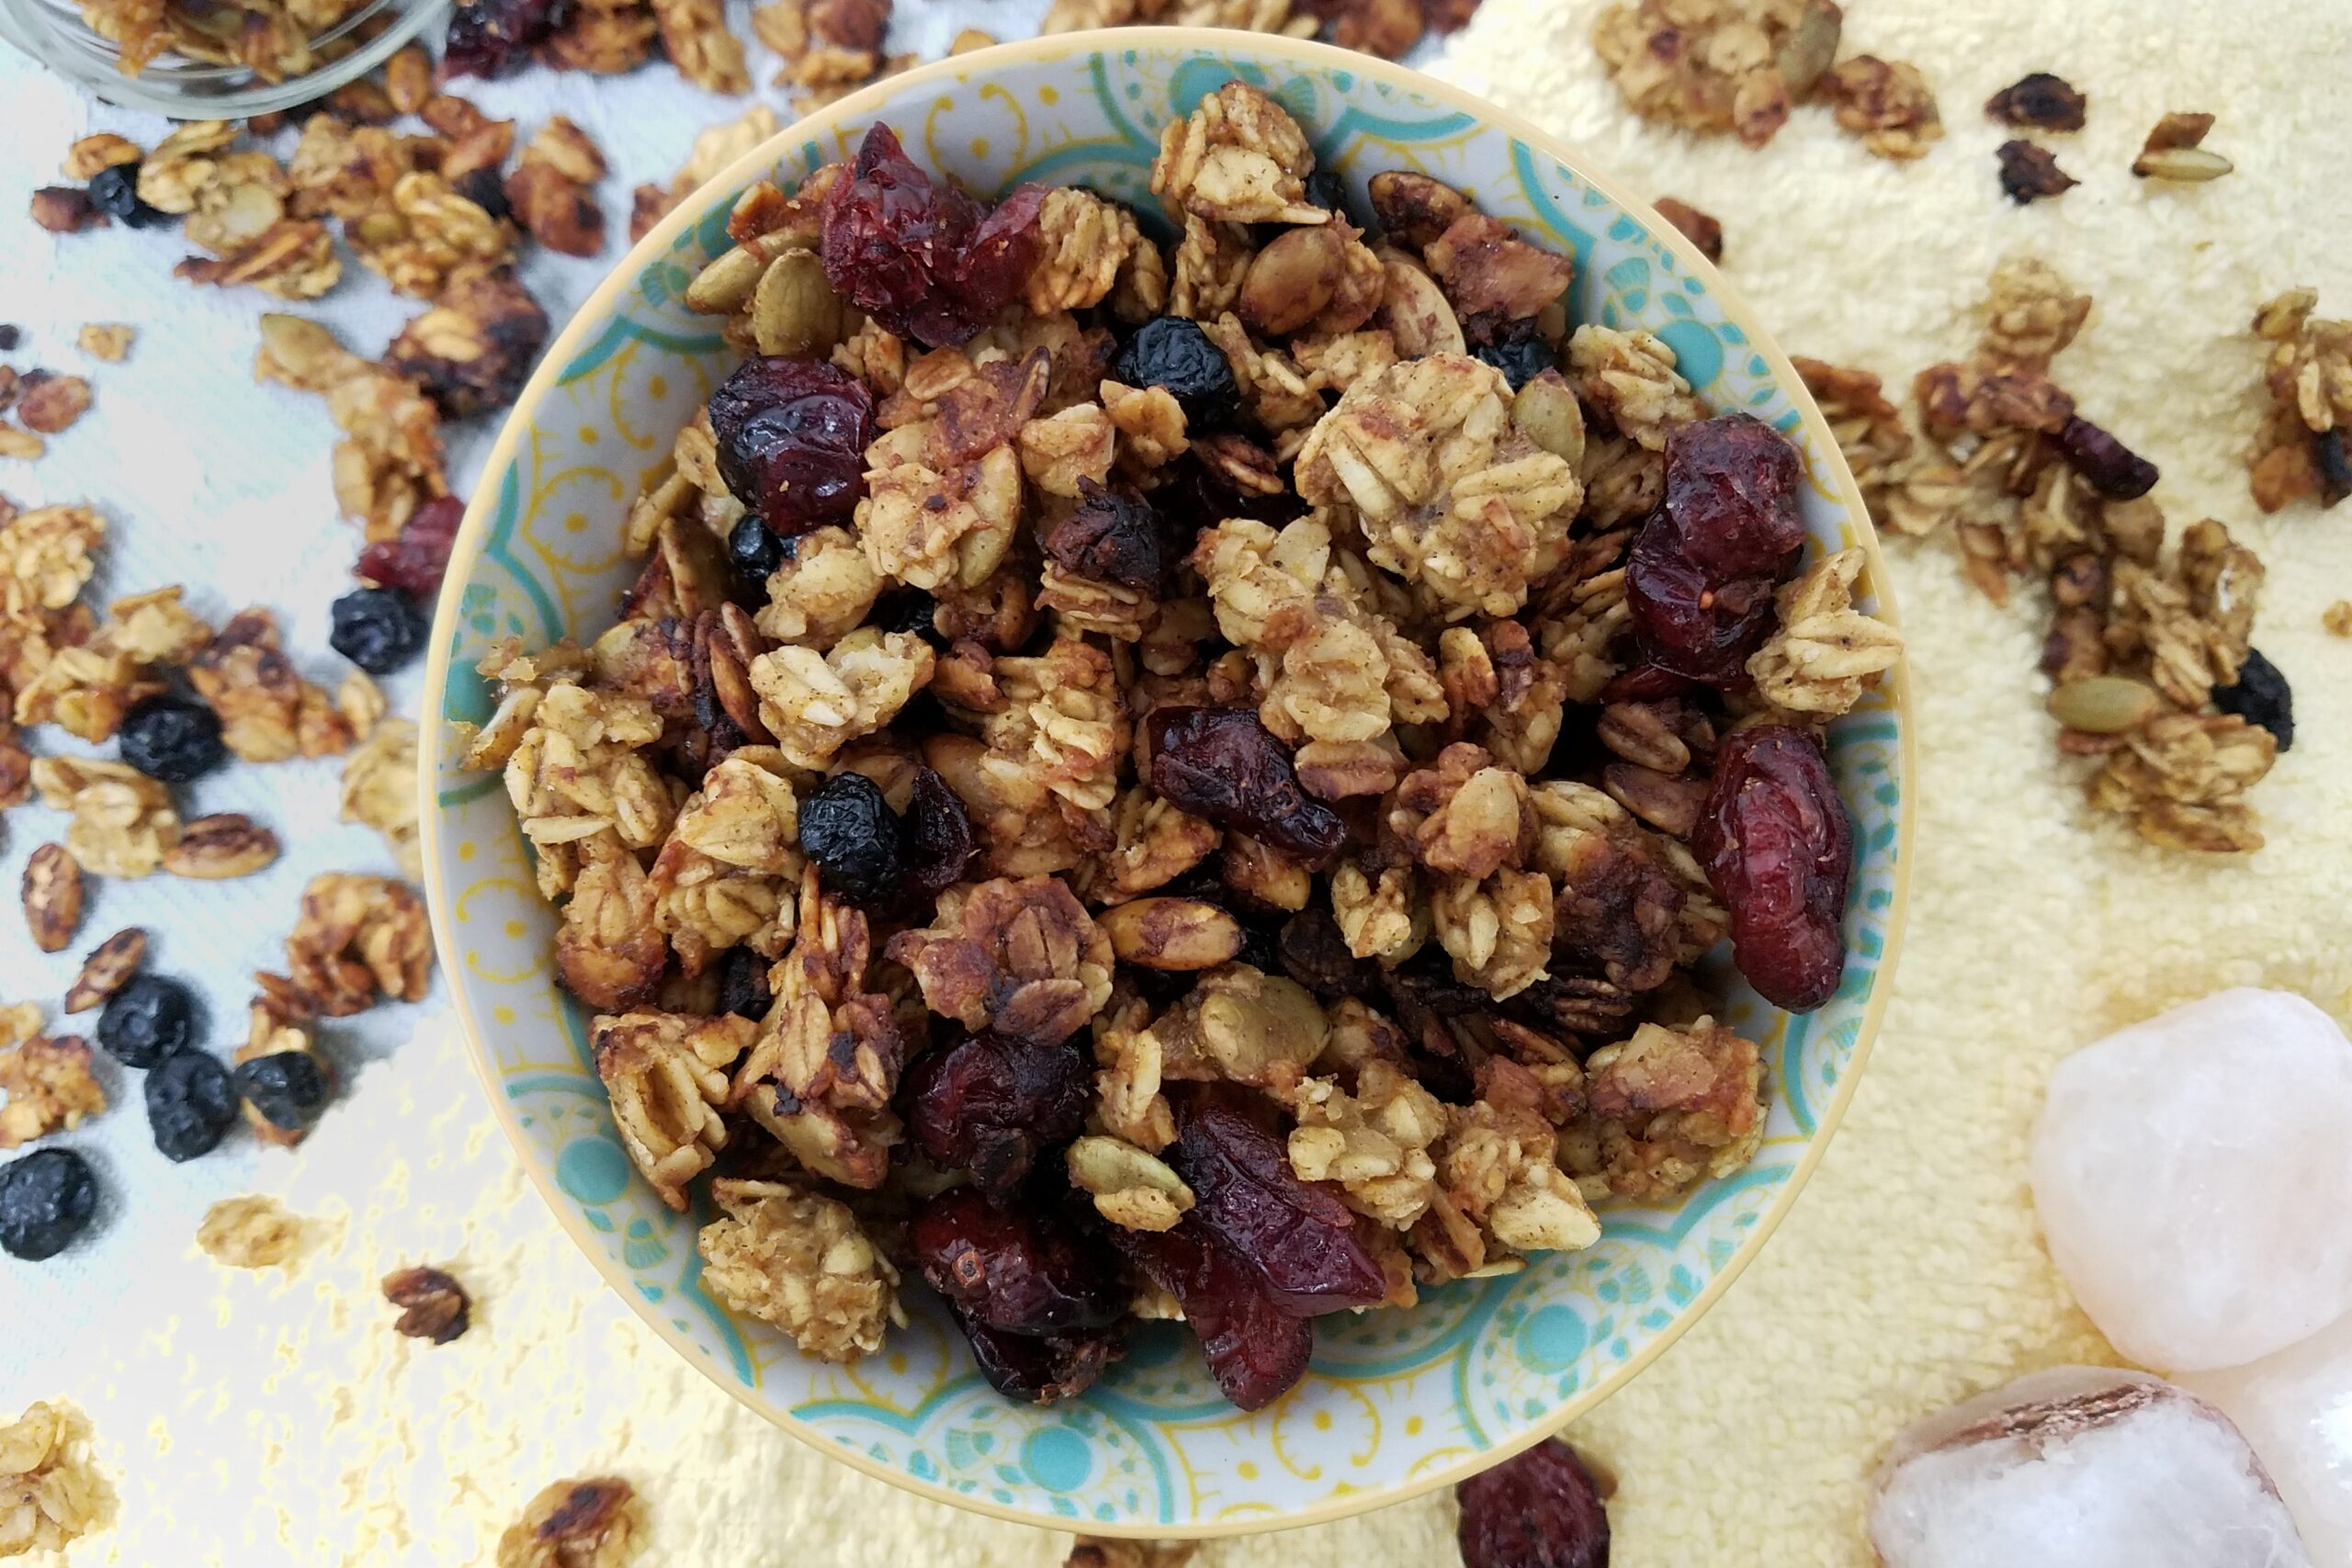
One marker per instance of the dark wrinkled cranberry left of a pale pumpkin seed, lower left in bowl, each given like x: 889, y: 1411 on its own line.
x: 994, y: 1104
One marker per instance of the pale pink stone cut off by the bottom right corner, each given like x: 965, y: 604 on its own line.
x: 2297, y: 1412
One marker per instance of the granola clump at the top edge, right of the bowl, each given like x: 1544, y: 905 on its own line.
x: 1744, y: 65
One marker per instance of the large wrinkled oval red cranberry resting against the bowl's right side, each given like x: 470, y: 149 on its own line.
x: 1779, y: 852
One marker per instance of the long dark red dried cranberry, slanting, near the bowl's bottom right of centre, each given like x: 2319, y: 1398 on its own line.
x: 1297, y: 1238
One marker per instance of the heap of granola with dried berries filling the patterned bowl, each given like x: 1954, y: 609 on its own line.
x: 1095, y: 721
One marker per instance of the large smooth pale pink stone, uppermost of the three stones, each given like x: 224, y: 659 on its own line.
x: 2193, y: 1177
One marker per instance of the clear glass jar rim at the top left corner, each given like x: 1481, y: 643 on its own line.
x: 58, y: 36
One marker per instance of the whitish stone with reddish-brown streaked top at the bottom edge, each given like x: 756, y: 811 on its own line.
x: 2080, y: 1468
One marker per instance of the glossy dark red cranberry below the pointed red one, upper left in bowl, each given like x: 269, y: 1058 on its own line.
x: 791, y: 438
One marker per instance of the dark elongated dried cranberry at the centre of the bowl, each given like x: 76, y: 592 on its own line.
x: 1224, y: 765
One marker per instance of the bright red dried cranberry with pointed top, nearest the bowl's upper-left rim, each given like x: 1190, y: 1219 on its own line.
x: 921, y: 257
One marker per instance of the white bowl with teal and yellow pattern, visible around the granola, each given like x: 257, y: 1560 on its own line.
x: 1396, y: 1400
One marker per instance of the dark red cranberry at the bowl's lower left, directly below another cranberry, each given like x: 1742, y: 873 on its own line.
x: 1022, y: 1271
